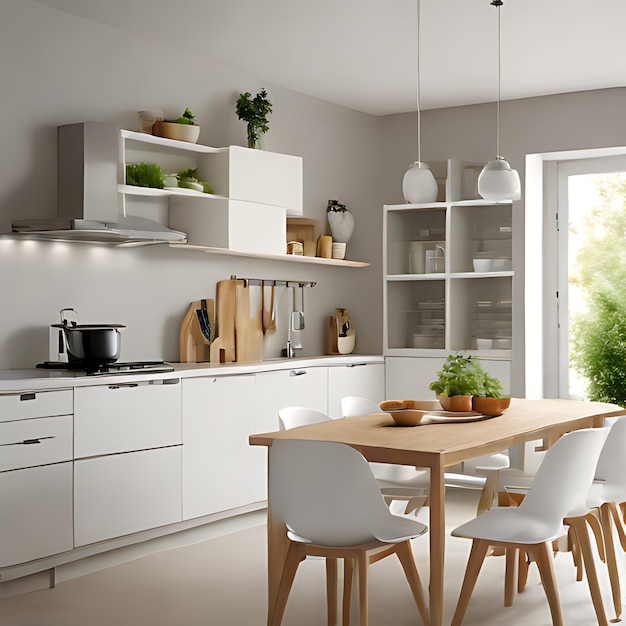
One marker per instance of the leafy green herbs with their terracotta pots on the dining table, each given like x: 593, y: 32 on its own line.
x: 463, y: 385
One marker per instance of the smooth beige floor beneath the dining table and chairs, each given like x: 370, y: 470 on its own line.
x: 221, y: 582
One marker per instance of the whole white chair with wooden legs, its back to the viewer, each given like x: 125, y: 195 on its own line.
x: 348, y: 521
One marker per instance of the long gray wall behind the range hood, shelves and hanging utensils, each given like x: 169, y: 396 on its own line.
x: 60, y: 69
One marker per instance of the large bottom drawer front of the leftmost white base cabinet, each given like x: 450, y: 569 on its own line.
x: 36, y: 513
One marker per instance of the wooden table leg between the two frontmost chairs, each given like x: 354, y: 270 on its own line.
x: 437, y: 533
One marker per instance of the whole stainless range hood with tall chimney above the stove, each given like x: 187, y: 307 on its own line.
x: 89, y: 207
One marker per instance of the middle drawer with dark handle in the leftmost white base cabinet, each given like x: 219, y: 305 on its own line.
x: 35, y: 442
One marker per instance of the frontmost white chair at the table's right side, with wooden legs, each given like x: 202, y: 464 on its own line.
x: 557, y: 496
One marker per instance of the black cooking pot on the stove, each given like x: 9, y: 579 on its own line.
x: 92, y: 344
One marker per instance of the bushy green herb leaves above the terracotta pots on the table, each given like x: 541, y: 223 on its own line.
x: 464, y: 376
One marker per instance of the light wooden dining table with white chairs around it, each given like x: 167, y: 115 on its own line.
x: 435, y: 446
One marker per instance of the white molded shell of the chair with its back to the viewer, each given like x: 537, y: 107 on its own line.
x: 326, y: 494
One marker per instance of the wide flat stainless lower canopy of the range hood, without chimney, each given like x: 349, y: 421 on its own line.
x: 126, y: 231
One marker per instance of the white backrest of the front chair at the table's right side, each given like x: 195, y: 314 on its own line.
x: 563, y: 479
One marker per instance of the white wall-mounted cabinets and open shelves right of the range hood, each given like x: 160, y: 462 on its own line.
x: 255, y: 191
